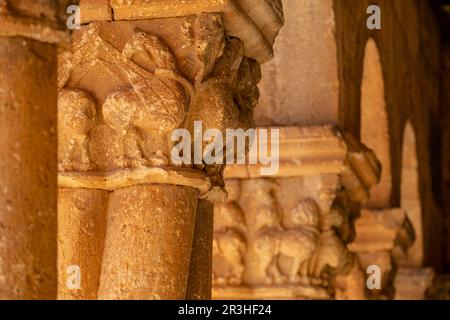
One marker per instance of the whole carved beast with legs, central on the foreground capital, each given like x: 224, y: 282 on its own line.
x: 155, y: 103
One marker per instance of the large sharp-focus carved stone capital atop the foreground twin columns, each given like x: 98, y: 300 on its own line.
x: 126, y: 86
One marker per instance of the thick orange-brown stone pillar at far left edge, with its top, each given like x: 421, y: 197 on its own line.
x: 29, y: 32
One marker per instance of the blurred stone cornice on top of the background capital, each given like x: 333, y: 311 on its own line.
x: 308, y: 151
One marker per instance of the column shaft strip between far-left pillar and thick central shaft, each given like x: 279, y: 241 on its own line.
x: 81, y: 235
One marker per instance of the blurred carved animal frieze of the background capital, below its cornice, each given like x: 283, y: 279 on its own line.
x: 283, y: 234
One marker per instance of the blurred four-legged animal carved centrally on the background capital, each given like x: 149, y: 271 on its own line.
x: 298, y: 243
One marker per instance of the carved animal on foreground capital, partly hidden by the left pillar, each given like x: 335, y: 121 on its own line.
x: 76, y: 118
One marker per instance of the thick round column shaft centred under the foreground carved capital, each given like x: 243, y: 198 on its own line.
x: 148, y: 242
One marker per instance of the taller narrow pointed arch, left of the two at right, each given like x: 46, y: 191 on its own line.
x: 375, y: 125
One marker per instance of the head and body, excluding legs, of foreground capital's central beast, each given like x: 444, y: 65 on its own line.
x: 158, y: 97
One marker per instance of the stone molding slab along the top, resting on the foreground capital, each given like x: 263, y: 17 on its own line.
x: 255, y: 22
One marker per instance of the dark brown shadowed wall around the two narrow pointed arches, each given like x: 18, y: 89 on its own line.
x: 406, y: 29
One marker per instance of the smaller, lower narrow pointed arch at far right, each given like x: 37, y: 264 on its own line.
x: 409, y: 194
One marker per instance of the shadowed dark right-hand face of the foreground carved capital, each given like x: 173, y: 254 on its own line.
x: 227, y: 96
